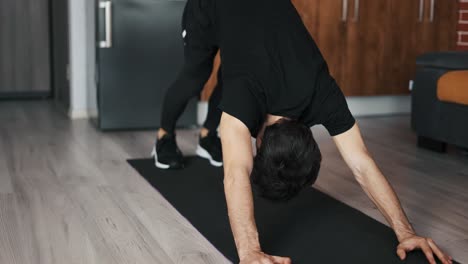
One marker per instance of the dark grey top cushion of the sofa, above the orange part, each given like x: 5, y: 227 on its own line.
x: 450, y: 60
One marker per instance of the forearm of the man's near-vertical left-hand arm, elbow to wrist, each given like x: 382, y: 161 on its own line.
x: 241, y: 212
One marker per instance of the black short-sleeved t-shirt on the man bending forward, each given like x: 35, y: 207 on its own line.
x: 271, y: 65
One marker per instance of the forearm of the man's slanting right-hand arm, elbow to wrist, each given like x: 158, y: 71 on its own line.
x: 384, y: 197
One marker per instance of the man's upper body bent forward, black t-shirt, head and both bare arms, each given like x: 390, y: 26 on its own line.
x: 276, y: 85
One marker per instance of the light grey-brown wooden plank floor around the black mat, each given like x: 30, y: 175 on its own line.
x: 67, y: 194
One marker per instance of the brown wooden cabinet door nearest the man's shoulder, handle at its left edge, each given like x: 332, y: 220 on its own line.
x: 367, y: 47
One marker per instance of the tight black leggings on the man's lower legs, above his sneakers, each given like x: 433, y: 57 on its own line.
x: 189, y: 83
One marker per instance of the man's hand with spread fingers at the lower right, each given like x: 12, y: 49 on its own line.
x: 427, y: 245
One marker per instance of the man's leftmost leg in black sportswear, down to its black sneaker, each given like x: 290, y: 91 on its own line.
x: 199, y: 51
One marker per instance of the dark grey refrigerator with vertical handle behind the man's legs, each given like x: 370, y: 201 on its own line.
x: 139, y: 52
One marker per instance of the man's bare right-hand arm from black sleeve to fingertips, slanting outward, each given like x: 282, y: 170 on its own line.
x: 354, y: 152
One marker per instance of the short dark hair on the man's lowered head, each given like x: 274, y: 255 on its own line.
x: 287, y: 161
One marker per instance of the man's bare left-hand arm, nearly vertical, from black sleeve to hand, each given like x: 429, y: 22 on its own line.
x: 238, y: 160
